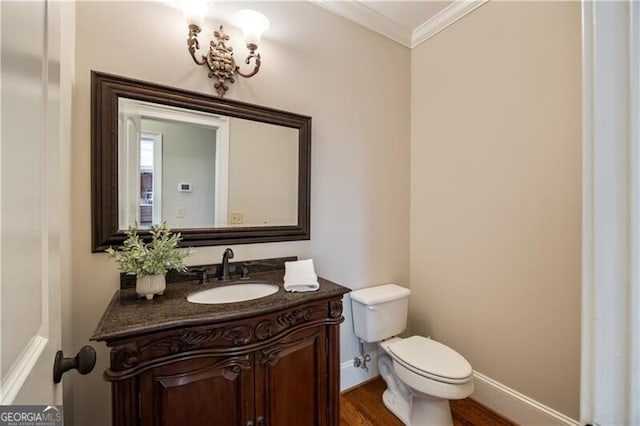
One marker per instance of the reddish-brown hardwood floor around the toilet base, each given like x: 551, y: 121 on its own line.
x: 363, y: 406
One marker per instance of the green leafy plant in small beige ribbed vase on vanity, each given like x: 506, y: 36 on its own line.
x: 151, y: 261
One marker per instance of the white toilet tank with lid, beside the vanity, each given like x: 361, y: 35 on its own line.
x: 379, y: 312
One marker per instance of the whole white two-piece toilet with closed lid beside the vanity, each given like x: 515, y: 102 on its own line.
x: 422, y: 375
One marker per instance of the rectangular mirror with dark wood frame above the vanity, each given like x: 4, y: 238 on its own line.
x: 219, y: 171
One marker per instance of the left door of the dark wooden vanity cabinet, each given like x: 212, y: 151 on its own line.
x: 199, y: 392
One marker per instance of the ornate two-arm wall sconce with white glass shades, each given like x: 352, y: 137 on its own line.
x: 219, y: 59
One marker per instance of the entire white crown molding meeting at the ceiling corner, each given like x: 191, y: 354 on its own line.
x: 359, y: 13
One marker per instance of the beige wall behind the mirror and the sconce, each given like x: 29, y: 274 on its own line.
x: 355, y: 85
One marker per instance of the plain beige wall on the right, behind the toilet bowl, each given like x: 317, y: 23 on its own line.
x: 495, y: 195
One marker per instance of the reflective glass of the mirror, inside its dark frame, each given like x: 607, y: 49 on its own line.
x: 201, y: 170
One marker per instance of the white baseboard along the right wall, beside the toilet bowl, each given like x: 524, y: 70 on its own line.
x: 514, y: 405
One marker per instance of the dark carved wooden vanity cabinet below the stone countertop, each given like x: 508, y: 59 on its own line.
x: 275, y: 369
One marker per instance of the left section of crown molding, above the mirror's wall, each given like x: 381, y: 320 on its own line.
x: 369, y: 18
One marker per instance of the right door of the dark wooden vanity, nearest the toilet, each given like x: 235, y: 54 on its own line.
x: 291, y: 381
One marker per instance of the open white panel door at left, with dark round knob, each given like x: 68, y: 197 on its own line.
x: 31, y: 211
